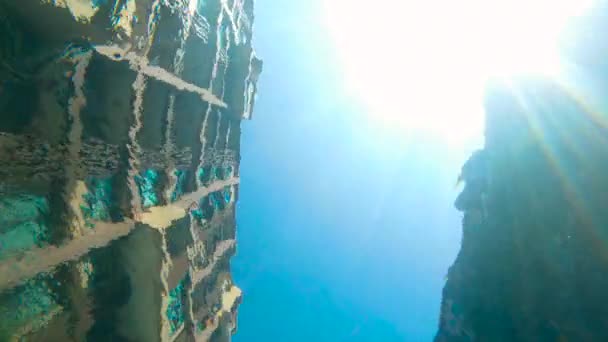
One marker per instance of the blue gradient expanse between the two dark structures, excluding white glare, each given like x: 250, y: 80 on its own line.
x: 345, y: 234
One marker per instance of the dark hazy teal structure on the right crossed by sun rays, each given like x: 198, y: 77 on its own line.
x: 533, y: 264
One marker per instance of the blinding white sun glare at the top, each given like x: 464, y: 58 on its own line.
x: 420, y: 65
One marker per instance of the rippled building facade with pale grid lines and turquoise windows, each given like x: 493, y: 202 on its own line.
x: 119, y: 162
